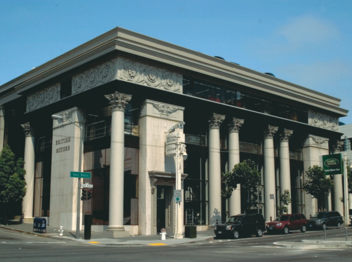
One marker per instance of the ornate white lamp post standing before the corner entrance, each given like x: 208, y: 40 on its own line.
x: 176, y: 148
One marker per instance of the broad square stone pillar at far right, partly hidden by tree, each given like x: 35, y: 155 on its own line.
x: 314, y: 147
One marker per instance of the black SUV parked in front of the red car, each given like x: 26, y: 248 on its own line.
x: 241, y: 225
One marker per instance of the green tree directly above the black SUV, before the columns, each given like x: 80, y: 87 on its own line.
x: 246, y: 174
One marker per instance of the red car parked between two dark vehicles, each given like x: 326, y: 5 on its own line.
x: 288, y: 222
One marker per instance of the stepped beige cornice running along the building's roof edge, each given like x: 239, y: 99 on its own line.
x: 151, y: 48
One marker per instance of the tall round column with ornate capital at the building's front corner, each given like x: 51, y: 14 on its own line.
x: 118, y: 102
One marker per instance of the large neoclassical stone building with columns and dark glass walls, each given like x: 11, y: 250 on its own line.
x: 106, y: 107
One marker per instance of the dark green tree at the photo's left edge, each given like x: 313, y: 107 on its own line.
x: 12, y: 183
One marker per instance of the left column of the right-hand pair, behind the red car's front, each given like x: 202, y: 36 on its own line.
x: 269, y: 173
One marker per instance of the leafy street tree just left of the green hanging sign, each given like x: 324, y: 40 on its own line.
x: 318, y: 185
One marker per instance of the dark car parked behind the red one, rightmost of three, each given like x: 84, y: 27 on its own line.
x: 324, y: 219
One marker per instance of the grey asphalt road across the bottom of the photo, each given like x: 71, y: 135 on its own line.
x: 16, y: 246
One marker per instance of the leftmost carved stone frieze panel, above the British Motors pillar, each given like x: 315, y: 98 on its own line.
x: 43, y: 97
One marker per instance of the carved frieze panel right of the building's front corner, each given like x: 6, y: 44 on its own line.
x: 148, y: 75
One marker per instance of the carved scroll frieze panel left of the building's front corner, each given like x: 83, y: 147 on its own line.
x: 94, y: 77
